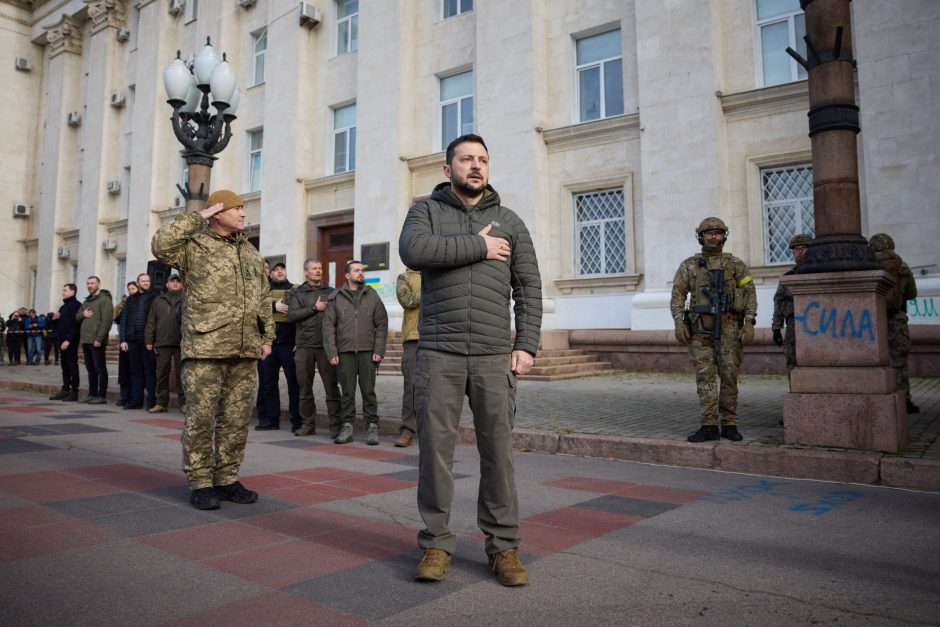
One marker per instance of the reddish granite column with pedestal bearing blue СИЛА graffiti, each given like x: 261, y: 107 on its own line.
x: 842, y: 393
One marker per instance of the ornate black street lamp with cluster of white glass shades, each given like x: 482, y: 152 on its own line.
x: 204, y: 99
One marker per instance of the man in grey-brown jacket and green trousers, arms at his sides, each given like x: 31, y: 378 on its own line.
x: 355, y: 331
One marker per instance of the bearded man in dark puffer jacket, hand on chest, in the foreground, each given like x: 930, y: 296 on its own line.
x: 472, y: 253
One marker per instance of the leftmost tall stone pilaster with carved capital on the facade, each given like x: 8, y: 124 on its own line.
x: 59, y: 154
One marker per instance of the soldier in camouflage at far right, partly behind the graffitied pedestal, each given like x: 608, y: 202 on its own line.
x: 904, y: 289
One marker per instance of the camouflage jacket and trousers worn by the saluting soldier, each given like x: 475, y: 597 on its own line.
x: 226, y: 319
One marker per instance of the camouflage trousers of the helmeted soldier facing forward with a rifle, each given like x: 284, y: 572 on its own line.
x: 717, y: 384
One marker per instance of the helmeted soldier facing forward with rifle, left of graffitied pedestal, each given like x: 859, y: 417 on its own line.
x: 722, y: 293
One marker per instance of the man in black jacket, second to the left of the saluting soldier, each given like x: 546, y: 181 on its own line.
x: 141, y: 360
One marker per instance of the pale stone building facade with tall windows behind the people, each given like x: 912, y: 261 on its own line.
x: 614, y: 127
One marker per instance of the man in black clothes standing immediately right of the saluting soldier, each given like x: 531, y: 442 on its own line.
x: 282, y: 356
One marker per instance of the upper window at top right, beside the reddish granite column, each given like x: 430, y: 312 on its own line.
x: 780, y: 23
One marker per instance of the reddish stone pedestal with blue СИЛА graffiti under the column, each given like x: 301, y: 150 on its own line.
x: 843, y: 392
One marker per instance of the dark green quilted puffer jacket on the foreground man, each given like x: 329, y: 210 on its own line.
x: 464, y: 296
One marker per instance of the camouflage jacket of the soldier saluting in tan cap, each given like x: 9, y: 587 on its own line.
x: 226, y: 306
